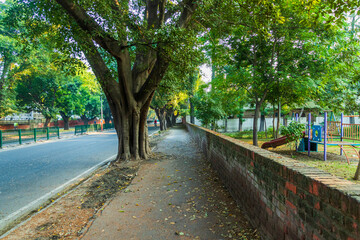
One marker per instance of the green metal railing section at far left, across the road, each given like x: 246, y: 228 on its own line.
x: 26, y: 135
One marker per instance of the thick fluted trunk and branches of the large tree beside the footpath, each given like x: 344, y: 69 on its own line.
x: 138, y: 74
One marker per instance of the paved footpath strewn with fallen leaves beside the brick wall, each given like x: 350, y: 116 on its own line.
x: 177, y: 196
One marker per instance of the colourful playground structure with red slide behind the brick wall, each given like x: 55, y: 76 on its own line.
x: 331, y: 133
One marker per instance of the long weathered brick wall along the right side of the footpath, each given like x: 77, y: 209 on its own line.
x: 283, y: 198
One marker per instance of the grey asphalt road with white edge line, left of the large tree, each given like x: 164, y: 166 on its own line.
x: 31, y: 174
